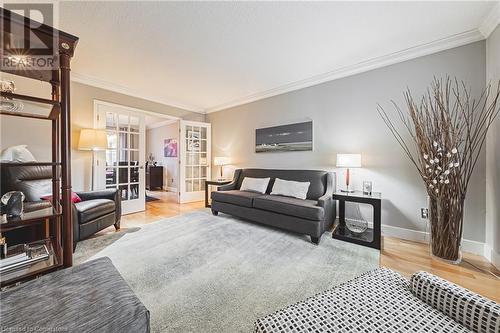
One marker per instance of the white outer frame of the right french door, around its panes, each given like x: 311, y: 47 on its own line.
x: 185, y: 196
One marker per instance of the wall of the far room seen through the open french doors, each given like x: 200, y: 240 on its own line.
x: 155, y: 138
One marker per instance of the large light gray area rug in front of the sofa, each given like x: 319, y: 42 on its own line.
x: 201, y: 273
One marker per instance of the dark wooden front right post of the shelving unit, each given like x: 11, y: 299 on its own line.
x: 66, y: 161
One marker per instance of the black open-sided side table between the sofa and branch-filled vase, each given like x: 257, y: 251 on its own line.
x: 372, y: 236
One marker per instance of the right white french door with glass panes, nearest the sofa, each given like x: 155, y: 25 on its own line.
x: 194, y: 162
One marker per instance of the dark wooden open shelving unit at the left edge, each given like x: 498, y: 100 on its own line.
x: 55, y: 218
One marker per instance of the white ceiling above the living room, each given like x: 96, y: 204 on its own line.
x: 206, y: 56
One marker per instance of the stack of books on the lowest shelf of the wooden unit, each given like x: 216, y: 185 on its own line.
x: 20, y: 256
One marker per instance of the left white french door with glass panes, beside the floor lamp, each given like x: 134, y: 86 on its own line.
x: 122, y: 164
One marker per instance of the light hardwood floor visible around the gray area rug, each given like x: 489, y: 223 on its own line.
x: 403, y: 256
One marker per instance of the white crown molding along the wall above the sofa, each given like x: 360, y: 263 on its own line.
x: 382, y: 61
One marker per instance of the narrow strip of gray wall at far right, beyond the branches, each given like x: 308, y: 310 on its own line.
x: 493, y: 154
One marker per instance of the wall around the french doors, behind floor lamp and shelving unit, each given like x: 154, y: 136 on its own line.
x: 36, y: 134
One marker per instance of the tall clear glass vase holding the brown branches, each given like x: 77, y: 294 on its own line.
x: 446, y: 214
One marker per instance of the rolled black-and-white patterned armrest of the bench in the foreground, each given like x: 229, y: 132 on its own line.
x: 474, y: 311
